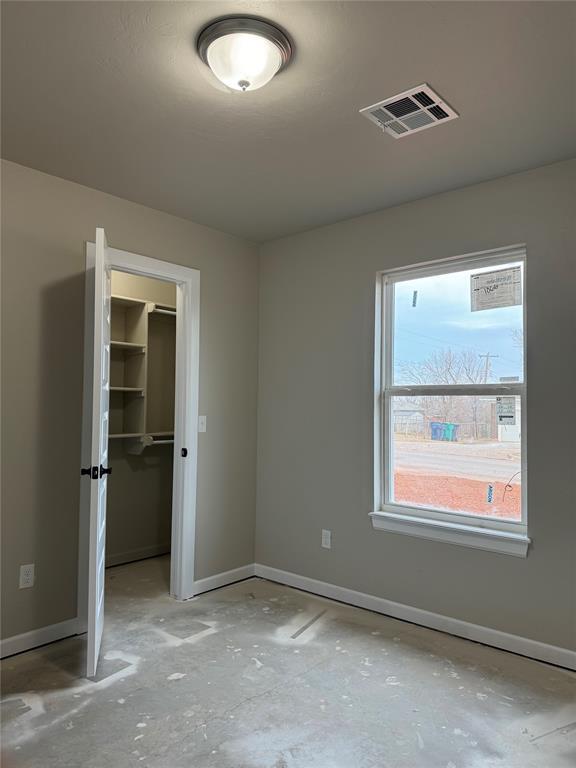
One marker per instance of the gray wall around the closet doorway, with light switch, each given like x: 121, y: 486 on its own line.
x: 45, y: 224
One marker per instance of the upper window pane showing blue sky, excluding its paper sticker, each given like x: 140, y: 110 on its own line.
x: 438, y: 339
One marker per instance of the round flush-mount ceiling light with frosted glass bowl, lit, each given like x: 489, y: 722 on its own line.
x: 244, y: 53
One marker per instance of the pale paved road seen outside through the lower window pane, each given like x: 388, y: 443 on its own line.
x: 459, y: 459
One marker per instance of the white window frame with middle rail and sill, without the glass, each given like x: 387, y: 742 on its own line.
x: 484, y: 532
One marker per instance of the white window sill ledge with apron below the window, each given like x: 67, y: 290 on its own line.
x: 504, y: 542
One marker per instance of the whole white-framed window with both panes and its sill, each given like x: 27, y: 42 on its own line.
x: 450, y: 442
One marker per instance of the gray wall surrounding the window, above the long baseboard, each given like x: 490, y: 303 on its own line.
x: 315, y: 406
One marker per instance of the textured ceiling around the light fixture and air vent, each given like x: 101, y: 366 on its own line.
x: 113, y: 95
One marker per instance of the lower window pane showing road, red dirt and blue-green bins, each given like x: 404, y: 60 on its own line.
x: 452, y: 454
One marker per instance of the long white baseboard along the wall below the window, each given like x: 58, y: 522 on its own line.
x: 534, y: 649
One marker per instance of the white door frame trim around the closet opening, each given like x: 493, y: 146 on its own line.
x: 187, y: 282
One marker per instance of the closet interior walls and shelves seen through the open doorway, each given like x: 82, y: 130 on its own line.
x: 141, y: 434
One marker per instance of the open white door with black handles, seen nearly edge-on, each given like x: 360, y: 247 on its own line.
x: 99, y: 470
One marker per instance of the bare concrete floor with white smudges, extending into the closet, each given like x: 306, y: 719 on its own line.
x: 257, y: 675
